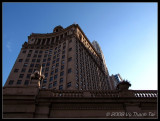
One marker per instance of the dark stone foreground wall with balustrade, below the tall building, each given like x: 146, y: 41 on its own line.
x: 32, y: 102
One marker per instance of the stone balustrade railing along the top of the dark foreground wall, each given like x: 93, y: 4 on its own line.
x: 103, y: 94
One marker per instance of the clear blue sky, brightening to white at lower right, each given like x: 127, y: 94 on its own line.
x: 126, y: 32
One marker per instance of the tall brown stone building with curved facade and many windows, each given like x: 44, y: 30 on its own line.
x: 68, y: 59
